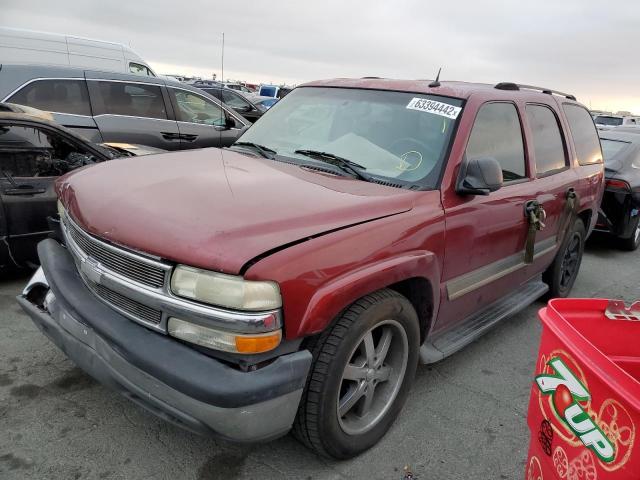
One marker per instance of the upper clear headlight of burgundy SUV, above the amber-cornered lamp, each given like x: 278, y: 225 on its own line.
x: 225, y: 290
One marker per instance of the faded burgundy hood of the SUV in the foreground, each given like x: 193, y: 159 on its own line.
x: 218, y: 209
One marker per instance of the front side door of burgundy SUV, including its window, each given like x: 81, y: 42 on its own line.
x: 486, y: 235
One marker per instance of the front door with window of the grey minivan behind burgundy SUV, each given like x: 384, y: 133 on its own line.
x: 202, y: 122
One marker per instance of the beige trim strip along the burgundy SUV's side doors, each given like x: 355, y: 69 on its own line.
x: 468, y: 282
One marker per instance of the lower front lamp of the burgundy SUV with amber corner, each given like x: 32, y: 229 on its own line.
x: 220, y: 340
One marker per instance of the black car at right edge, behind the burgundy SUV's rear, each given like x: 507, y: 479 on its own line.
x: 619, y: 213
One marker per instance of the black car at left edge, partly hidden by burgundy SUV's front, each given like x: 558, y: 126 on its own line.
x: 34, y: 152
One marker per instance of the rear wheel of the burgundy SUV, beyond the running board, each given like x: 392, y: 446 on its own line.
x: 562, y: 273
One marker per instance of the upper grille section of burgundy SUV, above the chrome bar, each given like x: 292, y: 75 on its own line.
x: 120, y: 263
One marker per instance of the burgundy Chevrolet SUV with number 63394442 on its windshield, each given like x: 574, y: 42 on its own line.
x: 295, y: 280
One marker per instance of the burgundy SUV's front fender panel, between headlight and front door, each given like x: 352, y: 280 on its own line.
x: 322, y: 276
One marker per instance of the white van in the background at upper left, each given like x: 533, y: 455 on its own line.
x: 40, y: 48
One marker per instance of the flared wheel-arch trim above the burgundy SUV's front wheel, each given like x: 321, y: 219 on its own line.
x: 333, y: 297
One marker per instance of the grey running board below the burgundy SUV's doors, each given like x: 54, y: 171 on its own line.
x: 446, y: 343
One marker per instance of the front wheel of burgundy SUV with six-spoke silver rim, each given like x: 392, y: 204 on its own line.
x: 362, y: 371
